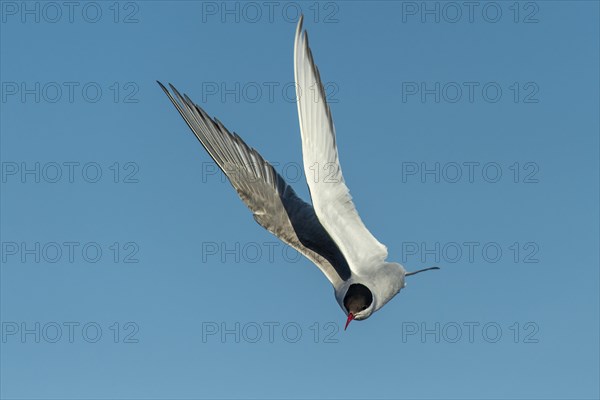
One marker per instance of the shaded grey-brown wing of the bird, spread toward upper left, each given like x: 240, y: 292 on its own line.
x: 273, y: 202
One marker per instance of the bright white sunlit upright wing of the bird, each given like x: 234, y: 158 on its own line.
x: 330, y: 196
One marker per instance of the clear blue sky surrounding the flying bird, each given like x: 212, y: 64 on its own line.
x: 151, y: 280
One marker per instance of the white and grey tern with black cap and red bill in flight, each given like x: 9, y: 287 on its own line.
x: 329, y: 232
